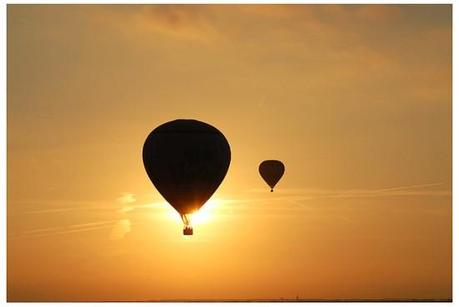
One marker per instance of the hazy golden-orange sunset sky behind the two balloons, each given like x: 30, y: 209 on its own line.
x: 355, y: 99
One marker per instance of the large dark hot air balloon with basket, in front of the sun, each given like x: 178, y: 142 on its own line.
x: 186, y: 160
